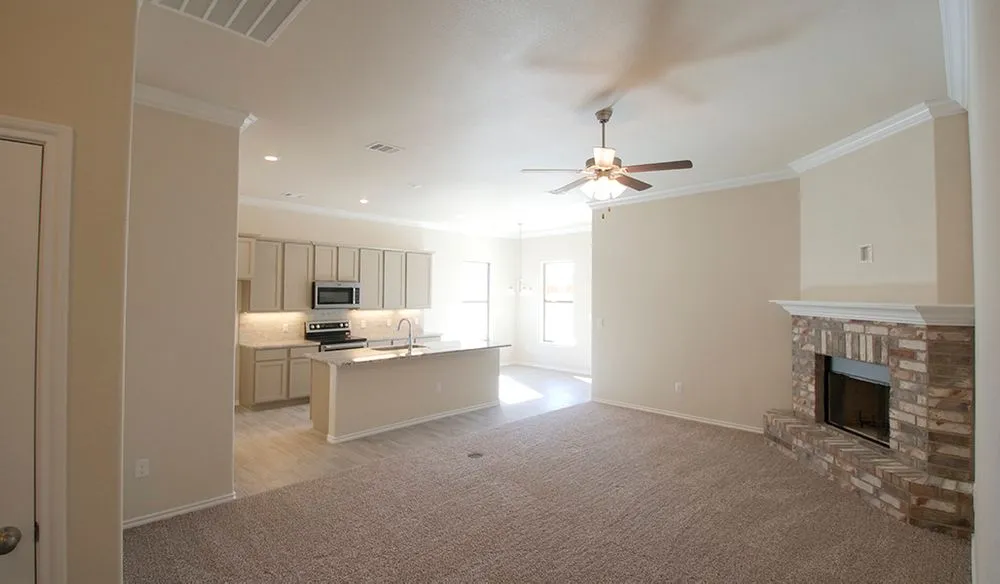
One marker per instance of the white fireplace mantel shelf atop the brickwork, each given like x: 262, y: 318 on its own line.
x: 919, y: 314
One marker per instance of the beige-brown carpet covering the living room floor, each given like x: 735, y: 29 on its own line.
x: 587, y: 494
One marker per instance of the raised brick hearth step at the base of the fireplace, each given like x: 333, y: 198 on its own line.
x: 878, y: 475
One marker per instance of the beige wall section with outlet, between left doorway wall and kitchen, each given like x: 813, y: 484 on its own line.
x: 181, y: 311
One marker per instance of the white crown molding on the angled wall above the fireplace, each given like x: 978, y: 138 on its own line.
x: 904, y: 120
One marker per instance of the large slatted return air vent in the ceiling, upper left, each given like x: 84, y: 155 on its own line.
x: 259, y: 20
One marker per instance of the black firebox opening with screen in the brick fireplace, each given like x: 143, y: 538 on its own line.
x: 857, y: 398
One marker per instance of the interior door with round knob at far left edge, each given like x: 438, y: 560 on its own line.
x: 20, y: 203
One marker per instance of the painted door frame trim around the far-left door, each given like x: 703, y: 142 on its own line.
x: 52, y: 338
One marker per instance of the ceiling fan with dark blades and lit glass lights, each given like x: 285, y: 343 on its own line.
x: 605, y: 177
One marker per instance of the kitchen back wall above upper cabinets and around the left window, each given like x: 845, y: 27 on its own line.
x: 450, y: 250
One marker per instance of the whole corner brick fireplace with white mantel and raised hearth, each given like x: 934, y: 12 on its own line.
x: 925, y: 475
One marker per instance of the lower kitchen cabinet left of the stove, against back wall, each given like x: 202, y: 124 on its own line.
x: 270, y: 376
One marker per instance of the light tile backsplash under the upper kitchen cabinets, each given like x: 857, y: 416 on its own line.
x: 256, y: 327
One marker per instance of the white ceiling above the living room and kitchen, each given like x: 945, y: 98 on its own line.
x: 475, y: 90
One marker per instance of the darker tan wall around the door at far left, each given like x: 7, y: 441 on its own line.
x: 71, y: 63
